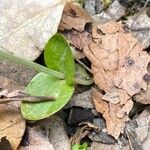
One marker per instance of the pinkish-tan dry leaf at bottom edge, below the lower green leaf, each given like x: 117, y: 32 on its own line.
x: 37, y: 140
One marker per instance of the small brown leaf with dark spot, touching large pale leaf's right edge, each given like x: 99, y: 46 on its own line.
x: 74, y: 17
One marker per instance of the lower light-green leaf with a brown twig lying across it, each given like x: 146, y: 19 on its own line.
x: 46, y: 85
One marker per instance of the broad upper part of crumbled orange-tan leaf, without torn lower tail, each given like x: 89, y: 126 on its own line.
x: 117, y: 58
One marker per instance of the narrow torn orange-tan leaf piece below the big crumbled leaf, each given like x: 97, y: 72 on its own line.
x: 114, y: 124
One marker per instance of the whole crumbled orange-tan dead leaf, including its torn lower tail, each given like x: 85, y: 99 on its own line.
x: 119, y: 66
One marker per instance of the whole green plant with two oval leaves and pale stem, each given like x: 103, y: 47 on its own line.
x: 57, y: 80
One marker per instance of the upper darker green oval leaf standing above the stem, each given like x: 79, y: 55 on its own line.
x: 58, y: 56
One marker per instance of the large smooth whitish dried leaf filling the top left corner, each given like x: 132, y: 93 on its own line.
x: 27, y: 25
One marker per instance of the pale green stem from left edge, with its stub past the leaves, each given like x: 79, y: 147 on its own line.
x: 5, y: 55
